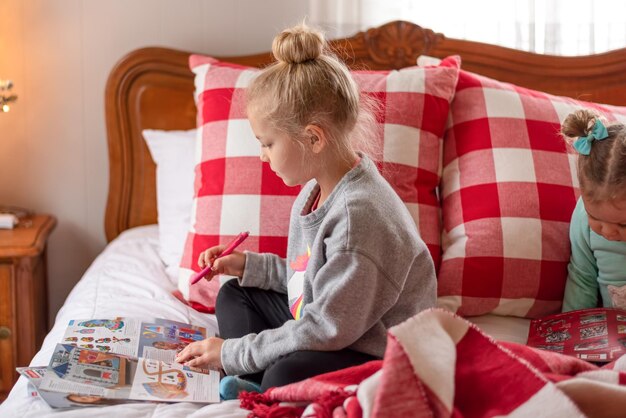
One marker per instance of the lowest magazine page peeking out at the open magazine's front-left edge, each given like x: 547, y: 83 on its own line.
x: 35, y: 376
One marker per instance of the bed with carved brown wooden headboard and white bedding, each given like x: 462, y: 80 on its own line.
x: 153, y: 88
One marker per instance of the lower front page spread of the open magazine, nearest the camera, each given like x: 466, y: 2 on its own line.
x: 113, y: 376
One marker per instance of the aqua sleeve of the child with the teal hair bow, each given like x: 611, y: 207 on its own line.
x: 581, y: 288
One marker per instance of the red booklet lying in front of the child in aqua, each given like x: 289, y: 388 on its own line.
x: 596, y: 334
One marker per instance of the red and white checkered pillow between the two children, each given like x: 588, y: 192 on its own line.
x: 509, y: 187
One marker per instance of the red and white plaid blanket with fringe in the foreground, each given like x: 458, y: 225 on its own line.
x: 439, y: 365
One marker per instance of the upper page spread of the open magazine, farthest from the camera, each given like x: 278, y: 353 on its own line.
x: 157, y: 339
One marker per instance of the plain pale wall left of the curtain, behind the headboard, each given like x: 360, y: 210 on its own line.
x: 53, y: 152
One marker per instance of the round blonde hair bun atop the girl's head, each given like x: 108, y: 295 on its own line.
x: 298, y: 44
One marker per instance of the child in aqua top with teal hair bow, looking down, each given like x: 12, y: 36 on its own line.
x: 597, y: 266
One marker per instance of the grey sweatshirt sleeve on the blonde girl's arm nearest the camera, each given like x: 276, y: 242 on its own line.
x: 345, y: 307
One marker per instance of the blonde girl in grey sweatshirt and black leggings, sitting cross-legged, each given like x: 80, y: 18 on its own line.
x: 355, y: 264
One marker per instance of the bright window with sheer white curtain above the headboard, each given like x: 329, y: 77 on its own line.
x: 555, y: 27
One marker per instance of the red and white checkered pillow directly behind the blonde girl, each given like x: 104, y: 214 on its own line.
x: 235, y: 192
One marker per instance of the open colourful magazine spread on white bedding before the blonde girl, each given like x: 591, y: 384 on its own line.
x: 105, y: 361
